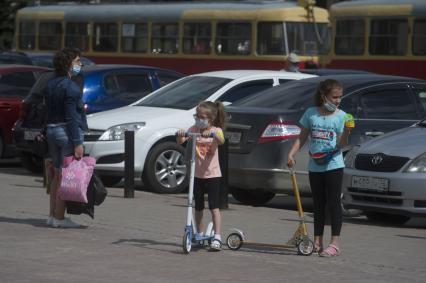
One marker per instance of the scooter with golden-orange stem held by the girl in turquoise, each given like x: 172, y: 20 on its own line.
x: 300, y: 239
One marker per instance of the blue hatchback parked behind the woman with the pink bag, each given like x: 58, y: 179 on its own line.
x: 104, y: 87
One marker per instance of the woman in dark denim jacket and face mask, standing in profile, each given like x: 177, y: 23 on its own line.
x: 66, y: 121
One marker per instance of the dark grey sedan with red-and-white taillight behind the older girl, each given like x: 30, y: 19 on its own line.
x: 263, y: 127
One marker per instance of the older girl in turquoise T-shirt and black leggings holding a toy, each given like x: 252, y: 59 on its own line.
x: 328, y: 128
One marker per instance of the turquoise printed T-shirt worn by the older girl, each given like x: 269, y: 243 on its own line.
x: 324, y: 130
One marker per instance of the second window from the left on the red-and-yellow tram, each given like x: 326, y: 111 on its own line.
x: 49, y: 36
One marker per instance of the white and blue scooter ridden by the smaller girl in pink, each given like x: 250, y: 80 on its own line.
x: 191, y: 234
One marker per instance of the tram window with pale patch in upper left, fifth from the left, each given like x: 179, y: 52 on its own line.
x: 134, y: 37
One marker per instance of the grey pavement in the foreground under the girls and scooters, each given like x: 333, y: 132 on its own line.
x: 140, y: 240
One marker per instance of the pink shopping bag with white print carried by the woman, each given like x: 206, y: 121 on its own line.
x: 76, y: 176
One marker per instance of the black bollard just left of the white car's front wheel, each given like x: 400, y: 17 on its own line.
x: 129, y: 164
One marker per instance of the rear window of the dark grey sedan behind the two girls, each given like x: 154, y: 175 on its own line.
x: 290, y: 96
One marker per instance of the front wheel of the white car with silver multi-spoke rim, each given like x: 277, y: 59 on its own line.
x: 165, y: 168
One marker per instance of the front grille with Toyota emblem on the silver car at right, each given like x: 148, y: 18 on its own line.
x: 379, y: 162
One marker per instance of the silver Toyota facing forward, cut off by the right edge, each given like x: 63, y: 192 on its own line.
x: 386, y: 177
